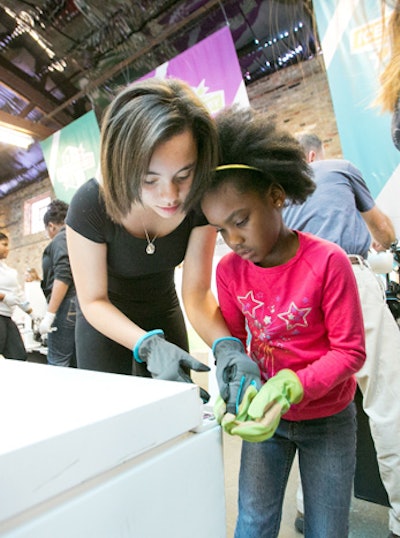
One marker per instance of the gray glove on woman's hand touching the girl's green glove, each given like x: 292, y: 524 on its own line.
x: 235, y: 371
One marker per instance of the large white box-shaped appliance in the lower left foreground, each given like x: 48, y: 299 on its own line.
x: 86, y: 454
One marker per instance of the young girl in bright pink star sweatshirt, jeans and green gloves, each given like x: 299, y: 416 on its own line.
x: 293, y: 298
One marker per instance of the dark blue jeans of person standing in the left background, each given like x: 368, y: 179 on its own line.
x: 61, y: 342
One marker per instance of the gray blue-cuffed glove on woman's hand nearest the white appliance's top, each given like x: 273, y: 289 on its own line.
x: 167, y: 361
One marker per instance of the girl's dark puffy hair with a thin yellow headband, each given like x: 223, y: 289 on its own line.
x: 251, y: 139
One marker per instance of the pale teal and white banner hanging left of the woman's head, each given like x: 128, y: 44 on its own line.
x: 72, y: 155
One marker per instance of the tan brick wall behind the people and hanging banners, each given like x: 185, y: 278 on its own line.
x: 296, y: 98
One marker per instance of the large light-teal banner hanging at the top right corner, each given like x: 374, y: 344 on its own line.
x: 354, y: 51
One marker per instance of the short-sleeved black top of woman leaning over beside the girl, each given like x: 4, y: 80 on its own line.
x: 130, y: 270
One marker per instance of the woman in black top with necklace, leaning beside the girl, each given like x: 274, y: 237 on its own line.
x: 127, y: 233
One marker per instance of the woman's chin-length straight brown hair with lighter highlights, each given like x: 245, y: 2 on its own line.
x: 140, y: 118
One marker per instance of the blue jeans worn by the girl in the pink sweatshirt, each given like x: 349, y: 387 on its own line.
x: 327, y: 456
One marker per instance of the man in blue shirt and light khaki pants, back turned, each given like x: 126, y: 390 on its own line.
x: 343, y: 211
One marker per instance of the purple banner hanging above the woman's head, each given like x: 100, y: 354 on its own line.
x: 212, y: 69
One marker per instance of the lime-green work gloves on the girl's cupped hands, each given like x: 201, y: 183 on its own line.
x: 267, y: 407
